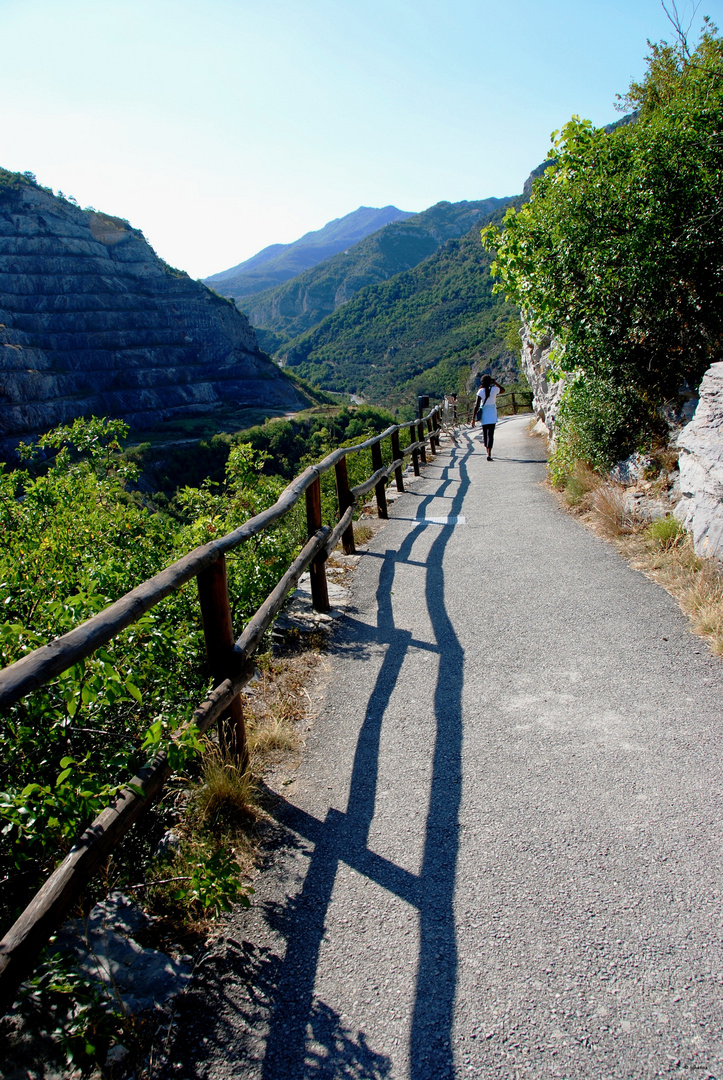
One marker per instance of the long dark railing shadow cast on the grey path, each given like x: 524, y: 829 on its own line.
x: 294, y: 1022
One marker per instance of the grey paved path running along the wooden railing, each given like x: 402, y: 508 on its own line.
x: 502, y: 855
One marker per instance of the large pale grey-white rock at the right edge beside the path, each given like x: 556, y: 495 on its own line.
x: 701, y: 463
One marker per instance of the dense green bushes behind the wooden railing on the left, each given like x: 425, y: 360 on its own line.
x: 76, y: 538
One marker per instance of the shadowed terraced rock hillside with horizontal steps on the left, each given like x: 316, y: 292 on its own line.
x: 93, y: 322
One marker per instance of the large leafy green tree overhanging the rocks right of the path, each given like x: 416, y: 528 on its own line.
x: 619, y: 255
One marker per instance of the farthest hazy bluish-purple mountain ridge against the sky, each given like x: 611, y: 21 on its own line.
x: 278, y: 263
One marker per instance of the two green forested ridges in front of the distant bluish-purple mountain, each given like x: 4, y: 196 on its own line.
x: 404, y: 312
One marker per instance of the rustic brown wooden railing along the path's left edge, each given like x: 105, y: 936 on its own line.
x: 230, y: 661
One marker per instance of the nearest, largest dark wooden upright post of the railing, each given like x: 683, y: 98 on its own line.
x: 219, y: 633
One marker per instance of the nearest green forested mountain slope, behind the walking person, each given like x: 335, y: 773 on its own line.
x: 416, y: 333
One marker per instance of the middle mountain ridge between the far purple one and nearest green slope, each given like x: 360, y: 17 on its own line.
x: 289, y: 310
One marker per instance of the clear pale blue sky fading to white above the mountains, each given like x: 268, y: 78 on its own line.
x: 220, y: 127
